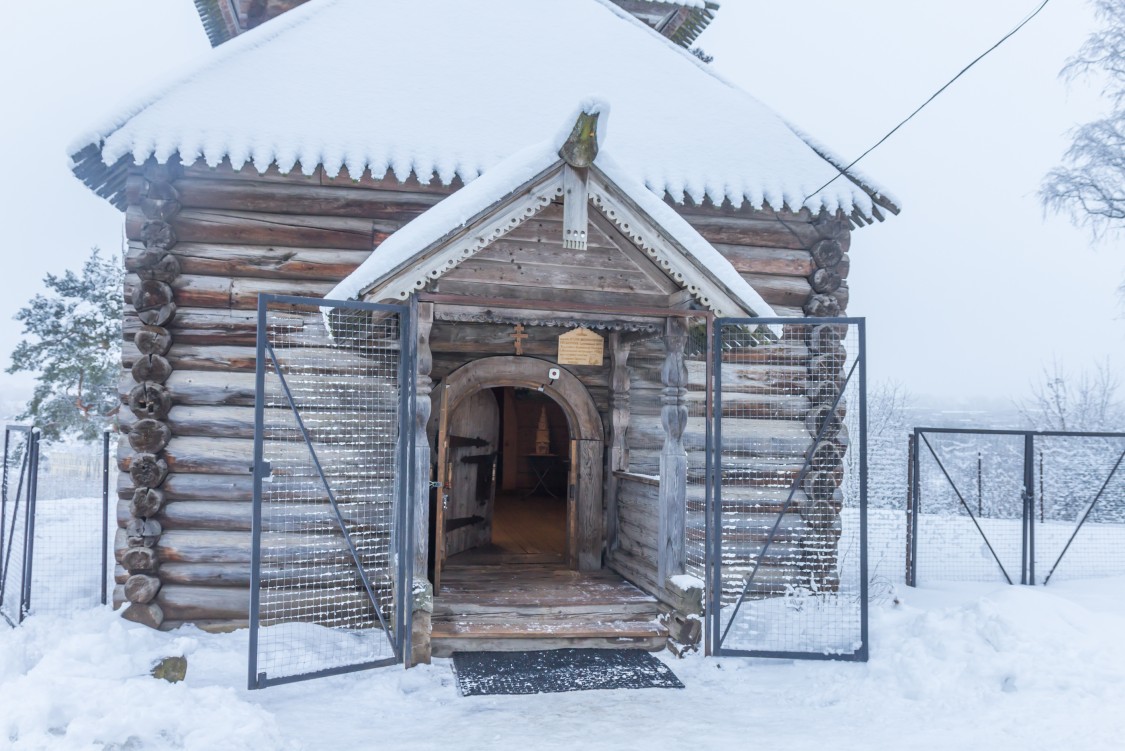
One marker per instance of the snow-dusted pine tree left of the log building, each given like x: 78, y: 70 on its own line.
x: 75, y: 347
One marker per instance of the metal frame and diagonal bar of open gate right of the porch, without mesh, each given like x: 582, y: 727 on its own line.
x: 716, y: 637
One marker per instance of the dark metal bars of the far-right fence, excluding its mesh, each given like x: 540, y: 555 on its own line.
x: 1028, y: 497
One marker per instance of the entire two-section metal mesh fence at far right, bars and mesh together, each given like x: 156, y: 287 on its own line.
x: 1016, y: 506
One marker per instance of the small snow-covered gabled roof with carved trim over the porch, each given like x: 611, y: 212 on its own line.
x: 422, y: 250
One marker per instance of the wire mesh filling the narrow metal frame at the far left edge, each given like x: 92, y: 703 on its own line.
x: 15, y: 503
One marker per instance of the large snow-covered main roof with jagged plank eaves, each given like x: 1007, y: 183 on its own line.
x: 451, y: 89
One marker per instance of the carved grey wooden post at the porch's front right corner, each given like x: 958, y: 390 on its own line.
x: 673, y: 501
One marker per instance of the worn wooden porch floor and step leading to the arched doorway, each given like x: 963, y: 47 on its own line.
x: 539, y: 607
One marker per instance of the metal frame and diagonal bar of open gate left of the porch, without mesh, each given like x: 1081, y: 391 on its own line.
x: 400, y: 639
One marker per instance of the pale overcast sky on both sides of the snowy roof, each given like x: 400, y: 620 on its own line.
x: 968, y: 294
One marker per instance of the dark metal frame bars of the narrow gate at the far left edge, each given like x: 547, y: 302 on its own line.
x: 29, y: 473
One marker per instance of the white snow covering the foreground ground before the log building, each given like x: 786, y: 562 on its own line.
x: 967, y: 666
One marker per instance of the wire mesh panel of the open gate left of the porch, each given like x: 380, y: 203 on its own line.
x: 331, y: 482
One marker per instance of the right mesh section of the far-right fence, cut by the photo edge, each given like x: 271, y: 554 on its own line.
x: 1078, y: 515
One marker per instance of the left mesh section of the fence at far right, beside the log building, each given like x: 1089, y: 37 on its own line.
x: 969, y: 506
